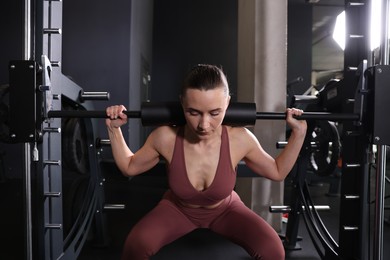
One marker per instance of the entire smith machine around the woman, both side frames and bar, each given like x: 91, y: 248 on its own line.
x: 35, y: 121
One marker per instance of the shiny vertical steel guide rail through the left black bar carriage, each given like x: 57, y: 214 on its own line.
x: 27, y: 52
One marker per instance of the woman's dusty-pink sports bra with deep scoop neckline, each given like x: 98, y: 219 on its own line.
x: 222, y: 185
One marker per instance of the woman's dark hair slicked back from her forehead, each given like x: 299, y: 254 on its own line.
x: 205, y: 77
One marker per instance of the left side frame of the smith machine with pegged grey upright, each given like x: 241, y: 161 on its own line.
x: 43, y: 194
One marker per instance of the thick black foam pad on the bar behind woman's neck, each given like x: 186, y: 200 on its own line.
x: 171, y: 113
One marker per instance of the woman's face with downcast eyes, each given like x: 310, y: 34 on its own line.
x: 204, y: 110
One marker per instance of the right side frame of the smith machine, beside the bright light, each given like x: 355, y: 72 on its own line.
x: 363, y: 91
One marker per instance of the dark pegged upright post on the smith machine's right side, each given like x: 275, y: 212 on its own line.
x: 354, y: 209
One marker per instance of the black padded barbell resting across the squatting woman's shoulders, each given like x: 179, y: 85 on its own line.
x: 171, y: 113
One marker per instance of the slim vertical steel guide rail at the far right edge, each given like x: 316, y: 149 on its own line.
x: 381, y: 161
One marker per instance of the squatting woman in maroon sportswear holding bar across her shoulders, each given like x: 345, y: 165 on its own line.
x: 201, y: 158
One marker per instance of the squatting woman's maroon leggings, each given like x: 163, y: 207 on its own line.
x: 232, y: 219
